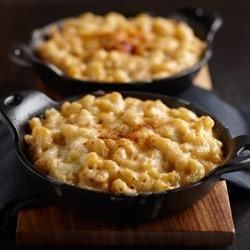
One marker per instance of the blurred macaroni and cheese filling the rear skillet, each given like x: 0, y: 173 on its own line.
x: 113, y: 48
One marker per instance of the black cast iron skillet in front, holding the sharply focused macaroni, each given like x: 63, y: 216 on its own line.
x: 16, y: 109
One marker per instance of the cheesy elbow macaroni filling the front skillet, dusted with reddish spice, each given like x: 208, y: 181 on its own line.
x: 123, y: 145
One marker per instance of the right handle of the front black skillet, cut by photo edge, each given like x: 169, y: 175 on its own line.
x: 241, y: 159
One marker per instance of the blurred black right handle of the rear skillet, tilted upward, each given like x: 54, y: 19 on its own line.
x: 210, y: 21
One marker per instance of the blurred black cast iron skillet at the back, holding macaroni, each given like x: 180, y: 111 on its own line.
x: 205, y: 25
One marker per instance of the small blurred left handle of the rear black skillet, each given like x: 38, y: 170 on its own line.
x: 22, y: 55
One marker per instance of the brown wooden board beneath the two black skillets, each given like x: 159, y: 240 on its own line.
x: 207, y: 223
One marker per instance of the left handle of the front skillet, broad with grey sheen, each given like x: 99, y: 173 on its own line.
x: 17, y: 108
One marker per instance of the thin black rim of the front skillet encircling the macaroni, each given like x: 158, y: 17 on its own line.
x: 30, y: 166
